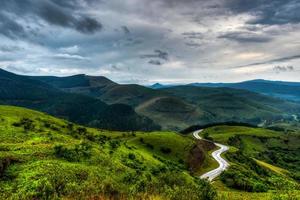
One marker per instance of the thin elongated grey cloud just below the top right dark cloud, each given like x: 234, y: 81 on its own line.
x: 243, y: 36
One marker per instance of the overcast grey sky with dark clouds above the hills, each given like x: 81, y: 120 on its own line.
x: 144, y: 42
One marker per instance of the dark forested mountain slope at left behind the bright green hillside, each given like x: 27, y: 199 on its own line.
x: 32, y: 93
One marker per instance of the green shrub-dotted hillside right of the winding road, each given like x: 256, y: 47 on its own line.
x: 261, y: 160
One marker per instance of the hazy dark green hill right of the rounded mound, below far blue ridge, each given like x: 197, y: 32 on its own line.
x: 226, y: 104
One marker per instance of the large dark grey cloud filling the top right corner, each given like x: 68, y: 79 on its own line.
x: 267, y: 12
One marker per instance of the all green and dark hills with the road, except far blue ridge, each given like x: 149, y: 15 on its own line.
x: 106, y: 140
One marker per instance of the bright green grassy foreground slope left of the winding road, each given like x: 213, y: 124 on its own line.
x: 44, y: 157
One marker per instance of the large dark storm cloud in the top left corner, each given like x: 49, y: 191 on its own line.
x: 59, y: 13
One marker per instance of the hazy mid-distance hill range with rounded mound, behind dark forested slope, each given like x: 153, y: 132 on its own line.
x: 178, y: 107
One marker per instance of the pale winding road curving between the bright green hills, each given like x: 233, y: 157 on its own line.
x: 223, y: 164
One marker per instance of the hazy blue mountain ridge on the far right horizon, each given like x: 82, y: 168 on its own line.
x: 278, y: 89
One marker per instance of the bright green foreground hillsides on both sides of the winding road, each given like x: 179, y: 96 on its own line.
x: 42, y: 157
